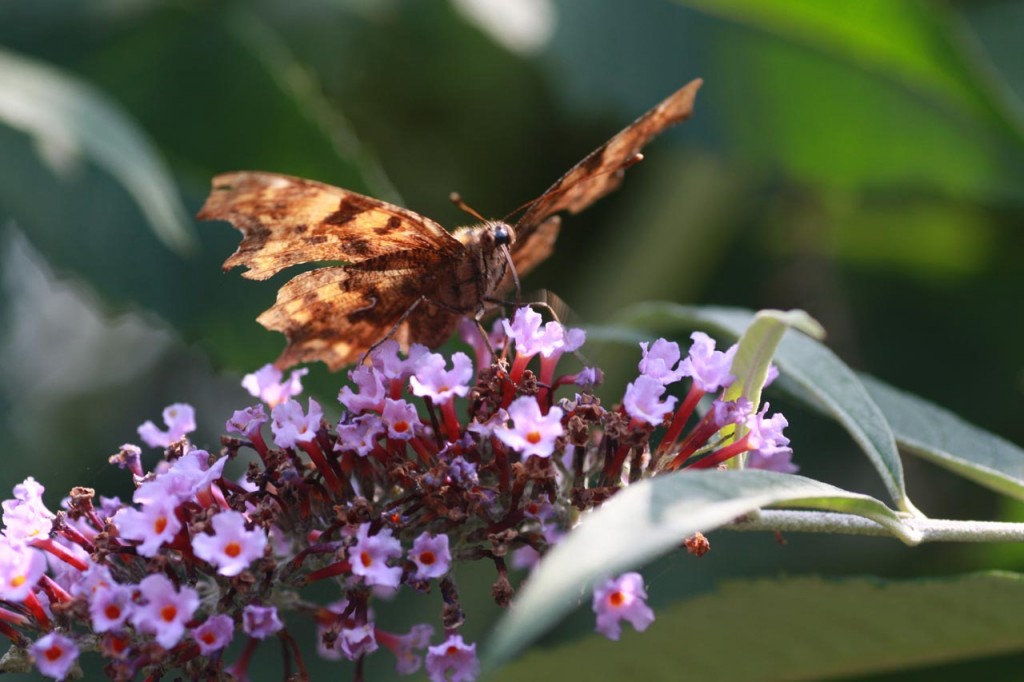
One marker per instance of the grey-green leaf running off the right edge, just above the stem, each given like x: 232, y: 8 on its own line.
x: 944, y: 439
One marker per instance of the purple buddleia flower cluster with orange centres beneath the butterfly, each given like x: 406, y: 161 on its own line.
x: 387, y: 498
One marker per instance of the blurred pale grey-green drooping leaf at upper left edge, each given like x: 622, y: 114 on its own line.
x: 69, y: 120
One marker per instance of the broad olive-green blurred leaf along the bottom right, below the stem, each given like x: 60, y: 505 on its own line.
x: 801, y: 629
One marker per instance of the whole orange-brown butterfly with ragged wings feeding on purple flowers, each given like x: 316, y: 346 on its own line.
x: 403, y: 276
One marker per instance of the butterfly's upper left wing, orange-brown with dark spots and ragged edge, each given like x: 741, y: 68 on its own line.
x: 288, y: 221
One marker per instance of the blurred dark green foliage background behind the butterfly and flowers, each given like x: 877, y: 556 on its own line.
x: 864, y: 161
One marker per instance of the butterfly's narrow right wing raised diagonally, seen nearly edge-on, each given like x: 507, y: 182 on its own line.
x: 603, y: 170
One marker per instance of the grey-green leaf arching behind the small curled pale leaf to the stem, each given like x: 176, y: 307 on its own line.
x: 828, y: 381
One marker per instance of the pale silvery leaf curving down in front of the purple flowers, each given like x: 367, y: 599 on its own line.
x: 652, y: 518
